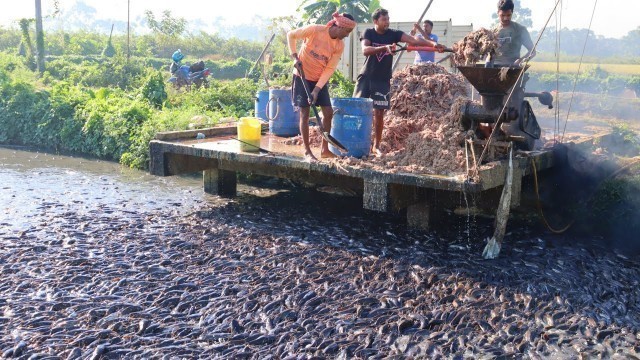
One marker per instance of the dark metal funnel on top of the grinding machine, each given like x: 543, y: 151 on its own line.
x: 487, y: 80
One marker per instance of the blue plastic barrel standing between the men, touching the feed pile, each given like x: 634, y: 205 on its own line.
x: 351, y: 125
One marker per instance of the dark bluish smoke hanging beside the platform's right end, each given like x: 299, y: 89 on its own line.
x: 597, y: 194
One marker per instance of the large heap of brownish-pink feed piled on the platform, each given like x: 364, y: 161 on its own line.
x: 422, y: 133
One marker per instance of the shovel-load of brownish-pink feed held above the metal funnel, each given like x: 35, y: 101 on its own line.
x: 475, y: 46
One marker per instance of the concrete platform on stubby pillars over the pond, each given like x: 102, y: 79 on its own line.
x: 219, y: 158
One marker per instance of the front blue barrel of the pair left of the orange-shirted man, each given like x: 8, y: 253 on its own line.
x: 283, y: 119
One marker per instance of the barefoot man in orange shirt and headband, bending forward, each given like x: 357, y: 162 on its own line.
x: 319, y: 55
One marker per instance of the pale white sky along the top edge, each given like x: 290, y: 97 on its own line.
x: 610, y: 19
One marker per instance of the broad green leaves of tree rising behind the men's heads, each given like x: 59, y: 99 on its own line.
x: 319, y: 11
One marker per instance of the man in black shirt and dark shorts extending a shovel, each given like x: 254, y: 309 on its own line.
x: 374, y: 80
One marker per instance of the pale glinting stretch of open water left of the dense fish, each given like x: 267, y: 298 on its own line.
x: 36, y: 184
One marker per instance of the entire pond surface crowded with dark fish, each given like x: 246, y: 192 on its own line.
x: 102, y: 262
